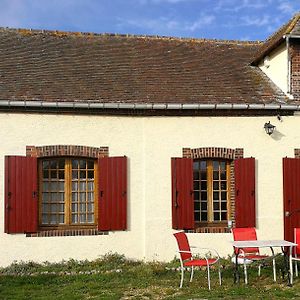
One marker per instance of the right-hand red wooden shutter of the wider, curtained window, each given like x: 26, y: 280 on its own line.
x: 112, y: 208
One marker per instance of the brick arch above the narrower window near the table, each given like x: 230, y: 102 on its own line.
x: 213, y: 152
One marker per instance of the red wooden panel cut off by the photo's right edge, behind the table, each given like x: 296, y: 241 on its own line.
x: 291, y: 196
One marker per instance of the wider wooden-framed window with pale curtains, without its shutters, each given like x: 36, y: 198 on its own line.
x: 67, y: 191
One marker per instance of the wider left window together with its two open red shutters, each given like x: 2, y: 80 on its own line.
x: 65, y: 192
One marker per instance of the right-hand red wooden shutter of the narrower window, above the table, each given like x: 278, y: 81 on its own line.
x: 244, y: 172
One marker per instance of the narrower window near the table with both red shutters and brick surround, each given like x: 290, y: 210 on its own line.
x: 210, y: 187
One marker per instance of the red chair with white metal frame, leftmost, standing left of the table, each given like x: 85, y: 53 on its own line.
x: 188, y: 261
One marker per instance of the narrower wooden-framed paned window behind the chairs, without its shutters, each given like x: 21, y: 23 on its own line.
x: 211, y: 191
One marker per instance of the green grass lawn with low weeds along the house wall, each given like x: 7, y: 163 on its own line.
x: 114, y: 277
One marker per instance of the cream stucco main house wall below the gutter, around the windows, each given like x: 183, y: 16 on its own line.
x: 149, y: 143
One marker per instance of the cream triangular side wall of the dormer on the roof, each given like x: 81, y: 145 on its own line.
x: 278, y: 67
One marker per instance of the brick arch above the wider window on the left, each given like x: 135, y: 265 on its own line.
x: 66, y: 150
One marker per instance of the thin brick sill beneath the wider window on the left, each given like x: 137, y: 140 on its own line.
x: 66, y: 232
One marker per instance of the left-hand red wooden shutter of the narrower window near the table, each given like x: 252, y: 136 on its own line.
x: 182, y: 194
